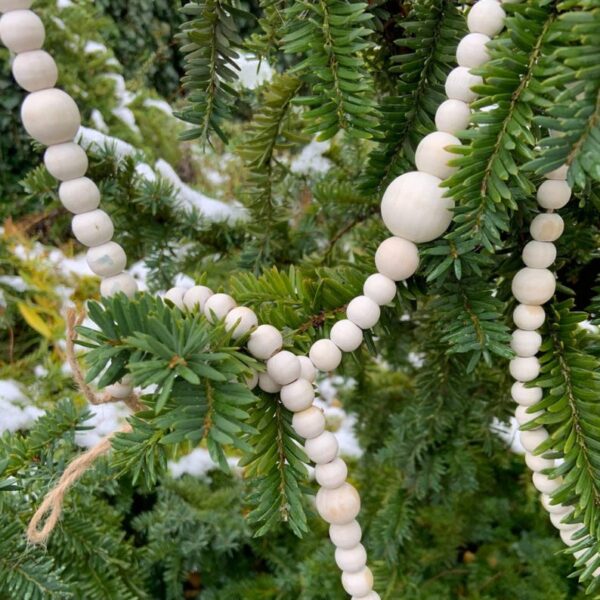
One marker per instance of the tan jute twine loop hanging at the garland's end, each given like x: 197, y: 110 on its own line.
x: 50, y: 510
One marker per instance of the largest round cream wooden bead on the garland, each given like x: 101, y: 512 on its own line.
x: 414, y: 207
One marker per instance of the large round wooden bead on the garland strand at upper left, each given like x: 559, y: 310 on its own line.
x: 50, y: 116
